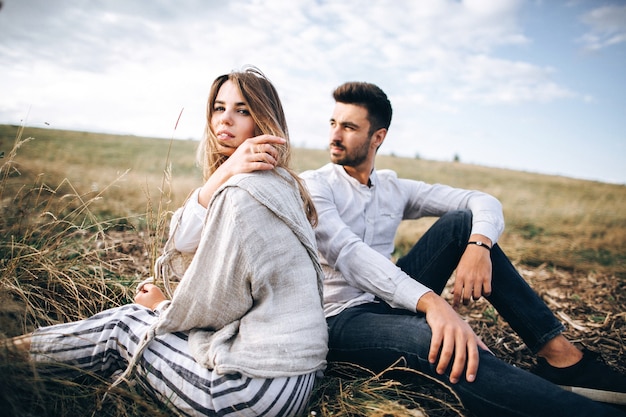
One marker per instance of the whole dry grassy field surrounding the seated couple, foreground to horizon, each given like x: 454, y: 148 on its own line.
x: 84, y: 216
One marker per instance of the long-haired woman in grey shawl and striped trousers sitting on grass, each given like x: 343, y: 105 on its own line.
x: 244, y: 333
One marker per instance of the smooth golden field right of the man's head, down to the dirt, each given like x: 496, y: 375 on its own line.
x: 565, y: 223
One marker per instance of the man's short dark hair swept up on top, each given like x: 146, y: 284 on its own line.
x: 369, y: 96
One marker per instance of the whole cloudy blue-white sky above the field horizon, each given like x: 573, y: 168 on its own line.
x: 531, y: 85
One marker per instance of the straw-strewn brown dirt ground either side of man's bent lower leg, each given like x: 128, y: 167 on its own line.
x: 590, y: 306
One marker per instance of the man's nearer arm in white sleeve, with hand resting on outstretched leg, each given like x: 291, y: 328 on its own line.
x: 368, y: 270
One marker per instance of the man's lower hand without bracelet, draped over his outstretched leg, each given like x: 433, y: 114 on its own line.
x: 451, y: 337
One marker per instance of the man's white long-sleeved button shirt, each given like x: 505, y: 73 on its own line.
x: 358, y: 223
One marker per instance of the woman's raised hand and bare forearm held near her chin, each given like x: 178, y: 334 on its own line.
x: 254, y: 154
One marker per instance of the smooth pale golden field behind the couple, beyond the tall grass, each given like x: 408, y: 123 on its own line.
x: 567, y: 223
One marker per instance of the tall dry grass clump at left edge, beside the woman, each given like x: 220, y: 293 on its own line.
x: 49, y: 236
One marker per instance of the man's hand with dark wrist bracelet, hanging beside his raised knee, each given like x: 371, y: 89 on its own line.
x: 473, y: 273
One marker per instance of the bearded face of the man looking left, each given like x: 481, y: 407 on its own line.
x: 349, y: 135
